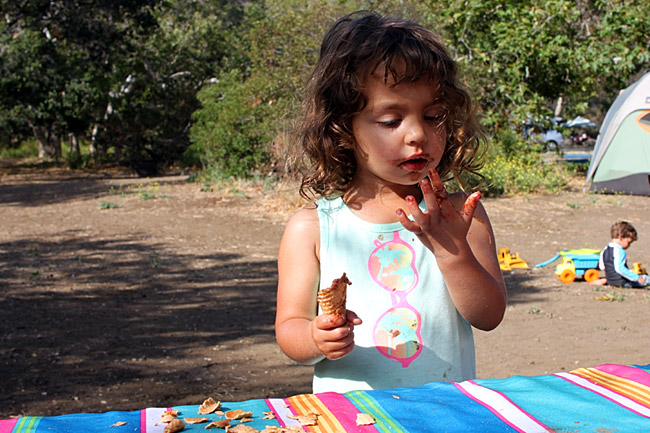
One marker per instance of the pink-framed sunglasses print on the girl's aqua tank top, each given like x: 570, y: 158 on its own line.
x: 397, y: 331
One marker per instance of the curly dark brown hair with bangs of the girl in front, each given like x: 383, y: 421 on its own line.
x: 360, y: 44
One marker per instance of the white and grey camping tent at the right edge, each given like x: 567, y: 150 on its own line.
x: 621, y: 158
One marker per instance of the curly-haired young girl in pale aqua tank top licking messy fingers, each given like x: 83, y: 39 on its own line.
x: 385, y: 119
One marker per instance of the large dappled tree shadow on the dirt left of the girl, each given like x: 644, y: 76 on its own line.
x: 88, y: 320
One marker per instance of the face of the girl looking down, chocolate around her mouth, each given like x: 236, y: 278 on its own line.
x: 399, y: 134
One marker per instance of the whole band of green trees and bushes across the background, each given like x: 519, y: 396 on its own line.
x: 219, y: 83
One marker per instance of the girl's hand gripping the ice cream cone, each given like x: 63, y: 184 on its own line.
x: 334, y: 335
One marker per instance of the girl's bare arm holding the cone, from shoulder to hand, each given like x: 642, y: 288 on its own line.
x: 303, y: 336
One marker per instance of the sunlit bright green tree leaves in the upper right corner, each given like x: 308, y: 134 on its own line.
x: 521, y: 57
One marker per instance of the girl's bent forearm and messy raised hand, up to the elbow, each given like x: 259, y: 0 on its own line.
x: 457, y: 230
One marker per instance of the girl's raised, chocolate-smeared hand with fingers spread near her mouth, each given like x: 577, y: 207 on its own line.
x: 441, y: 228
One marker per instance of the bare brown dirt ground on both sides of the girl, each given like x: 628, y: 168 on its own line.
x: 119, y: 293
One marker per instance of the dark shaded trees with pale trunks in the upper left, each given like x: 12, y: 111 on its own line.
x: 125, y: 74
